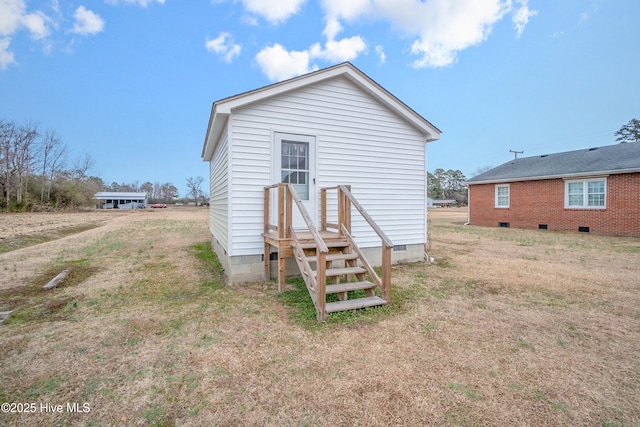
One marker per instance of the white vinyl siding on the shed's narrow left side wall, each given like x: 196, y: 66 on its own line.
x: 219, y: 200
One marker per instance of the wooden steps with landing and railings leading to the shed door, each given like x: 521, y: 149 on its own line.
x: 343, y: 268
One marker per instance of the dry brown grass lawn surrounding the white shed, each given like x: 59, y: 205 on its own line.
x: 508, y: 327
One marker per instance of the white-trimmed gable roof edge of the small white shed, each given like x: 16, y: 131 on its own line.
x: 222, y: 108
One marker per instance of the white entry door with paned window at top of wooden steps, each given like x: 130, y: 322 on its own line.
x: 295, y: 164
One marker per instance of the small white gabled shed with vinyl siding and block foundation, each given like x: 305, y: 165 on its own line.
x: 331, y: 127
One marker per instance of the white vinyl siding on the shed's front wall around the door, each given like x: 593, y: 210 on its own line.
x: 359, y: 142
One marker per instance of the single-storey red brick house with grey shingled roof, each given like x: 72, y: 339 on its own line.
x: 595, y: 190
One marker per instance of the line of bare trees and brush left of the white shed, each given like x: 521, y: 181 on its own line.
x: 36, y: 174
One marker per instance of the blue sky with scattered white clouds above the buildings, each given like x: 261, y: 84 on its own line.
x: 132, y: 81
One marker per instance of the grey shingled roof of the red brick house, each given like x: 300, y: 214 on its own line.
x: 610, y: 159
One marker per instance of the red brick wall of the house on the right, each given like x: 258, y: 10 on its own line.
x: 542, y: 202
